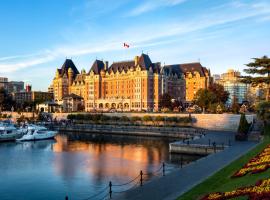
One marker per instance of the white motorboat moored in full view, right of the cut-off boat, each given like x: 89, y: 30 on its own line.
x: 35, y: 132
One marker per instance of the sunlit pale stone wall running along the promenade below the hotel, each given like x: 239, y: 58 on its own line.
x: 222, y: 122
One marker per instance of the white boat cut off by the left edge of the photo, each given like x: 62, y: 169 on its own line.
x: 8, y: 132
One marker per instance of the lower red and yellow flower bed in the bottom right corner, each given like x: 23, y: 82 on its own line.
x: 258, y: 192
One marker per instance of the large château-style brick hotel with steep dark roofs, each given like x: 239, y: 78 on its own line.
x: 128, y: 85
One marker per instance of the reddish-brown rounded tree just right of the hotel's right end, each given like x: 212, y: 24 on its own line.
x: 221, y: 96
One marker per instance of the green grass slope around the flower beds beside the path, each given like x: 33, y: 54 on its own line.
x: 222, y: 181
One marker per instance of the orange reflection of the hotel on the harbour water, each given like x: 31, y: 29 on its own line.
x: 120, y: 159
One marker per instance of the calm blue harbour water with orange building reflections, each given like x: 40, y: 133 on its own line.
x: 77, y: 165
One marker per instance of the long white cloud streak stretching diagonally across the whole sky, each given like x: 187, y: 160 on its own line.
x: 165, y: 33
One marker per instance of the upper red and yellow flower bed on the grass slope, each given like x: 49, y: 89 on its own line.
x: 258, y: 164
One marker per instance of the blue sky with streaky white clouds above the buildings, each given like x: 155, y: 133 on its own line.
x: 36, y: 36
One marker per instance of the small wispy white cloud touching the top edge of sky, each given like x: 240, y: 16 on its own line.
x: 151, y: 5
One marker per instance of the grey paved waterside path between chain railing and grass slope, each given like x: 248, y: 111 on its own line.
x: 179, y: 181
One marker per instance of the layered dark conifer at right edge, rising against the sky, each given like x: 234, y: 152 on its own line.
x: 261, y: 68
